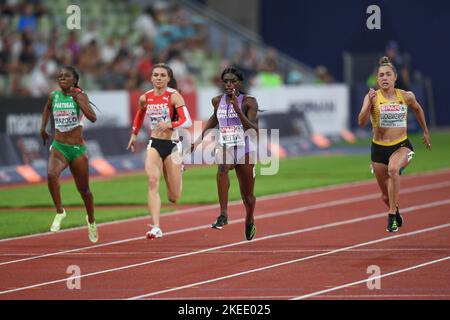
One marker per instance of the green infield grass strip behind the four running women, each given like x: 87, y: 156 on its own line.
x: 199, y: 185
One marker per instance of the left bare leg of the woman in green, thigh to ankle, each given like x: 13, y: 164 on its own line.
x: 56, y: 164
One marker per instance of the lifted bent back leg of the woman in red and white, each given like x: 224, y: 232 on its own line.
x: 173, y: 176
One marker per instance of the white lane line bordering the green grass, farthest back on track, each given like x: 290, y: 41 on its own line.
x: 239, y: 202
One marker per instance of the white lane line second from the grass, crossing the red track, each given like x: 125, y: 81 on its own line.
x: 258, y: 216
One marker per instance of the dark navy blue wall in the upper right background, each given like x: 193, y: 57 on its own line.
x: 319, y: 31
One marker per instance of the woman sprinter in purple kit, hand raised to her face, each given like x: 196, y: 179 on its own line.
x: 235, y: 114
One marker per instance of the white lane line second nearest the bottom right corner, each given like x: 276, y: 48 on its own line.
x: 289, y: 262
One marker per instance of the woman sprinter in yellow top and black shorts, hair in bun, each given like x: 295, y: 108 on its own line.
x: 391, y: 150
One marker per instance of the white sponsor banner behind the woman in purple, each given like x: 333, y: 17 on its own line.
x: 325, y: 107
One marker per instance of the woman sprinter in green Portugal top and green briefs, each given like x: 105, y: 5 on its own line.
x: 68, y: 149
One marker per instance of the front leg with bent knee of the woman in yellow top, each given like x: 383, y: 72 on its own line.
x: 398, y: 160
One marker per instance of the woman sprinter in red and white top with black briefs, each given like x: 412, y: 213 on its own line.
x: 167, y: 111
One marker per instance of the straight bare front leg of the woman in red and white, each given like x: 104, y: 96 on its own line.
x: 153, y: 168
